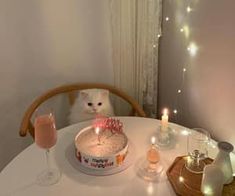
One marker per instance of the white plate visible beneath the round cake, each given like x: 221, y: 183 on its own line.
x: 127, y: 162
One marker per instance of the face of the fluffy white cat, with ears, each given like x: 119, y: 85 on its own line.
x: 94, y: 100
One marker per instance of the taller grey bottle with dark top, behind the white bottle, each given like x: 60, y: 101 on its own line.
x: 223, y: 161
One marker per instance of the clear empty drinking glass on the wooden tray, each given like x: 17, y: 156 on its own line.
x: 197, y: 146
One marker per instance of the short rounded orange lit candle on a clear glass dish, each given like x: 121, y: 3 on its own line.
x: 153, y: 155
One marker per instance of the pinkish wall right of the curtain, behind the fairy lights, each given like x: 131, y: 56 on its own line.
x: 209, y: 90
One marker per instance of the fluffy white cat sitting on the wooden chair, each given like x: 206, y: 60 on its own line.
x: 90, y: 103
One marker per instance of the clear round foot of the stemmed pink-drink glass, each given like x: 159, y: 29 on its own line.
x: 48, y: 177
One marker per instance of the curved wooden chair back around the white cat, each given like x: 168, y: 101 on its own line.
x: 71, y: 89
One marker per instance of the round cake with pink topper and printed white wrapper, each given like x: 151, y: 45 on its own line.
x: 104, y: 149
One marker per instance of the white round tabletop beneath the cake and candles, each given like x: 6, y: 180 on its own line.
x: 18, y: 178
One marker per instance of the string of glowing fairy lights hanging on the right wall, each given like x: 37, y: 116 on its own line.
x: 191, y: 48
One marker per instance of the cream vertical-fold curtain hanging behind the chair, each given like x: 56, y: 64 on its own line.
x: 136, y: 28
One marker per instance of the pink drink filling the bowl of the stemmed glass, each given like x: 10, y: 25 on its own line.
x: 45, y: 131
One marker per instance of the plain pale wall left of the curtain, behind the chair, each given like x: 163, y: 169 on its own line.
x: 45, y: 44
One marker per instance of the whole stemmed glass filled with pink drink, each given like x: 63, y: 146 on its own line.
x: 45, y: 138
